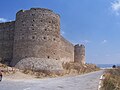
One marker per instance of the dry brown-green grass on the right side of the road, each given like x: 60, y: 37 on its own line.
x: 112, y: 79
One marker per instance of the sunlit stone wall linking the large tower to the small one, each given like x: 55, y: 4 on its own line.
x: 66, y: 50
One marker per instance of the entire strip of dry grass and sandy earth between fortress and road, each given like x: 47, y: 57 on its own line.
x: 68, y: 69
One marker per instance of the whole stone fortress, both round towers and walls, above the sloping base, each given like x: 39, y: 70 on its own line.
x: 36, y: 33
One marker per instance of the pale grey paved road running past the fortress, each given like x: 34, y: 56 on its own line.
x: 82, y: 82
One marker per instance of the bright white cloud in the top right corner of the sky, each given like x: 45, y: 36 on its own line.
x: 116, y: 7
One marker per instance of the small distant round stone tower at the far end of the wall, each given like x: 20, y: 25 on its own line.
x: 79, y: 53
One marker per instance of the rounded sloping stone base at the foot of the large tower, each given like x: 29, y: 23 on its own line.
x: 39, y: 64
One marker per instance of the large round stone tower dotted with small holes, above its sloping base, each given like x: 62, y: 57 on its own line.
x: 37, y: 34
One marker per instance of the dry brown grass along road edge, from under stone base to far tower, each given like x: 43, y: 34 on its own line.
x: 69, y: 69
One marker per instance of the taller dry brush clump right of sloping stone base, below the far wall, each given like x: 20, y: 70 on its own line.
x: 77, y: 68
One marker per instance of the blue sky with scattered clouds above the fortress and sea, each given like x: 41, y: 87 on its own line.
x: 95, y: 23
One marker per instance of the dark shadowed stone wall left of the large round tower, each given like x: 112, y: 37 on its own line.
x: 6, y: 41
